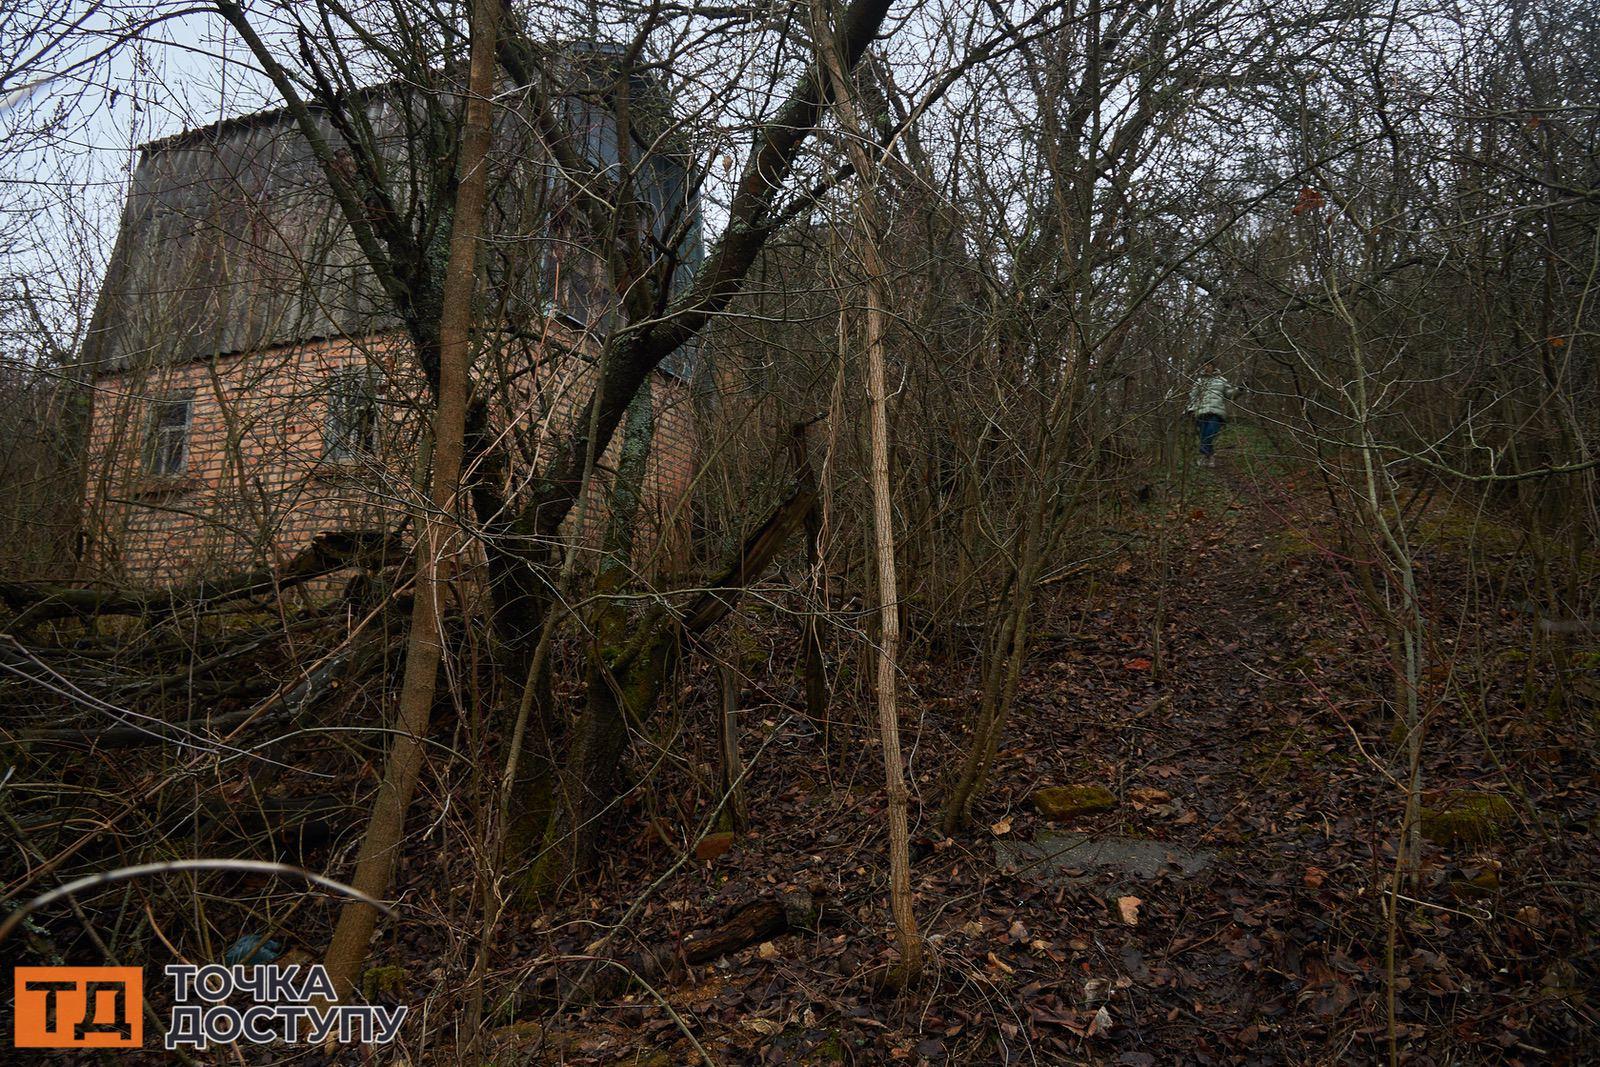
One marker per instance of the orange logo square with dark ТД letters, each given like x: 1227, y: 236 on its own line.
x: 79, y: 1007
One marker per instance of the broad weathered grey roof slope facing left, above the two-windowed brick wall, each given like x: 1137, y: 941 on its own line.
x: 230, y: 241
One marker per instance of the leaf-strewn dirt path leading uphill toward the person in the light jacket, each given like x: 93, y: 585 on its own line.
x: 1222, y: 751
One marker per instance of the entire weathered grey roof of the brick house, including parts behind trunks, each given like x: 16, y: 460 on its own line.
x: 231, y: 239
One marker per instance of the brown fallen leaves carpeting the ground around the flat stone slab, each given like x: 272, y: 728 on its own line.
x: 1231, y: 749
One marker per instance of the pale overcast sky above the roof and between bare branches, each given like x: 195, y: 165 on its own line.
x: 134, y: 73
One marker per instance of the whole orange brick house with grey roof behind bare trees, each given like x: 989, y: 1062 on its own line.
x: 250, y: 390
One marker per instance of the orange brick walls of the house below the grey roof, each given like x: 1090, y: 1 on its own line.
x: 257, y: 486
